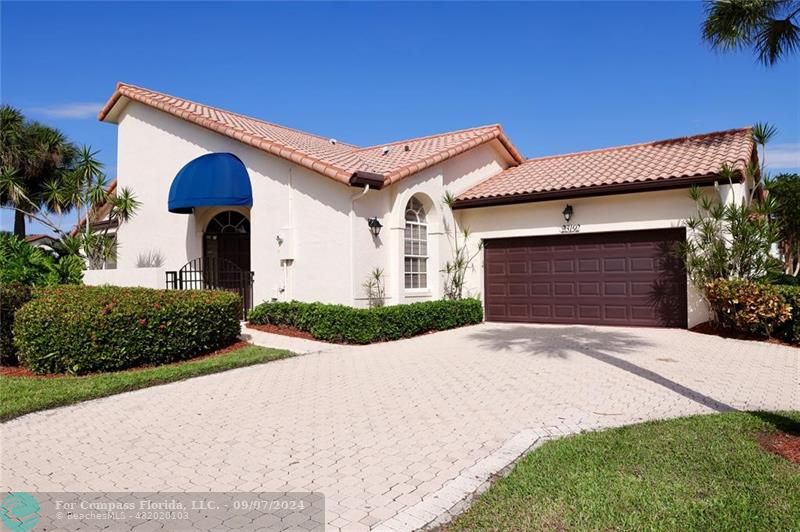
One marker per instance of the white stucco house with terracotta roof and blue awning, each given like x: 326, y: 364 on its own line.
x: 578, y: 238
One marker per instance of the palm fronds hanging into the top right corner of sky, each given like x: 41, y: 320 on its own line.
x: 768, y: 26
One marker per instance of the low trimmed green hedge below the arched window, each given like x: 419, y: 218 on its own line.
x: 343, y: 324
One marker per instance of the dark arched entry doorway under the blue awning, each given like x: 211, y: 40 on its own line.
x: 227, y: 239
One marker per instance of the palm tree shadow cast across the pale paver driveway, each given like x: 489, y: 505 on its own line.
x: 597, y: 343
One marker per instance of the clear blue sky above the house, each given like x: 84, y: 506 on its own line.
x: 560, y: 77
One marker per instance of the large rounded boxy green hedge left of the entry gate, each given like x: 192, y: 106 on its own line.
x: 83, y: 329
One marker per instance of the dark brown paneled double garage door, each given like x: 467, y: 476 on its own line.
x: 628, y: 278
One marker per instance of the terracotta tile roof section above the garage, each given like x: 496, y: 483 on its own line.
x: 660, y: 164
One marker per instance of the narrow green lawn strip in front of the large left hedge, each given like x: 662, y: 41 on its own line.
x: 22, y: 395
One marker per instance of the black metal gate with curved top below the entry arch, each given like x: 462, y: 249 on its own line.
x: 210, y: 273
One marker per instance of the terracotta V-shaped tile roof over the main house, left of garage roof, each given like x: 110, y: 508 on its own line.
x: 340, y: 161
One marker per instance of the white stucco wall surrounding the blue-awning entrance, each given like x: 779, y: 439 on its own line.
x: 152, y: 148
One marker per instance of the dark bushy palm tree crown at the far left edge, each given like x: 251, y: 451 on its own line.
x: 35, y: 161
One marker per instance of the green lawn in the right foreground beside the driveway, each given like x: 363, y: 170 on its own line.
x: 698, y: 473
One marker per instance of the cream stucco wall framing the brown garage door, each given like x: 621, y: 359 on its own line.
x: 624, y: 212
